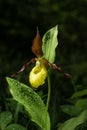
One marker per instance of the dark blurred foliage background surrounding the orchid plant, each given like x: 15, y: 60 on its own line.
x: 18, y: 22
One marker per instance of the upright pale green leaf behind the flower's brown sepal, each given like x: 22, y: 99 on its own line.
x: 50, y: 43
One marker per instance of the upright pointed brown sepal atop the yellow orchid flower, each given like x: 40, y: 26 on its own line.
x: 37, y: 45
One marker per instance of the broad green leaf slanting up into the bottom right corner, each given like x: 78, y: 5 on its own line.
x: 72, y: 123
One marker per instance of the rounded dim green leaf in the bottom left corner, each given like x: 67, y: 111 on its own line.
x: 5, y: 119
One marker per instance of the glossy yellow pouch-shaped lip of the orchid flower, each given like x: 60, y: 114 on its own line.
x: 37, y: 76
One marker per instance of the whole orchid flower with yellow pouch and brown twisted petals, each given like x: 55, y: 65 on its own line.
x: 39, y: 73
